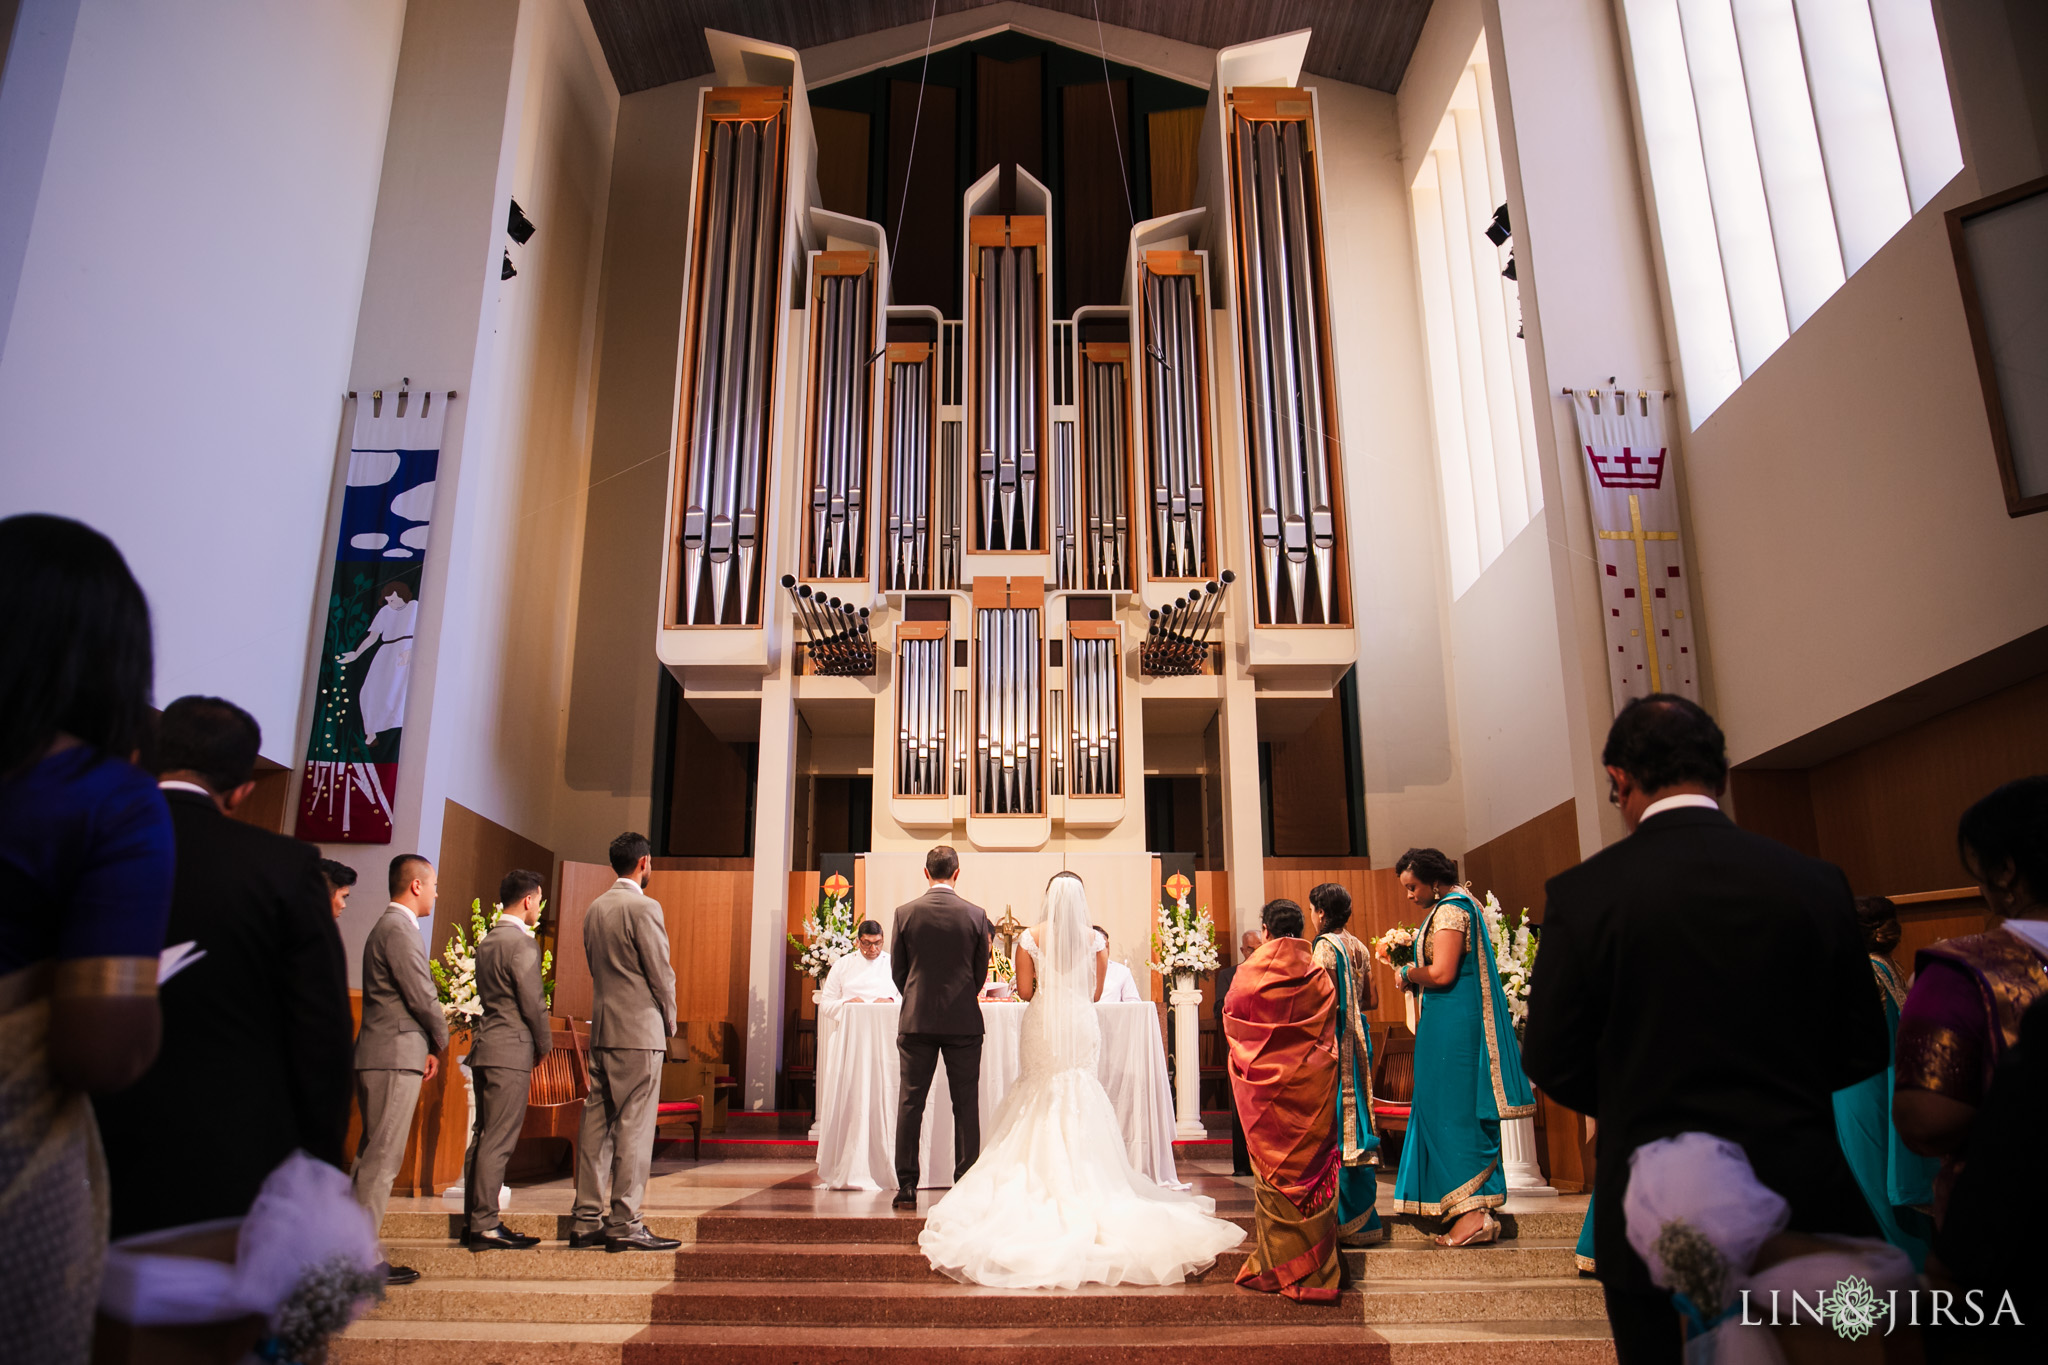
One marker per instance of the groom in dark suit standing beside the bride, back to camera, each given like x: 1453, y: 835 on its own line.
x: 939, y: 957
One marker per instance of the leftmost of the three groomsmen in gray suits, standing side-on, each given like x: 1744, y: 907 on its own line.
x: 400, y: 1041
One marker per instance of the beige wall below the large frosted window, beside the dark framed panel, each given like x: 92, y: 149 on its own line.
x: 1848, y: 521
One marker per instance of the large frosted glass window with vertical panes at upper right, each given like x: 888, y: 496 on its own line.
x: 1789, y: 142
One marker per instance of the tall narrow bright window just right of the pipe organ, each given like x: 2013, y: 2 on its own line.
x: 1480, y: 384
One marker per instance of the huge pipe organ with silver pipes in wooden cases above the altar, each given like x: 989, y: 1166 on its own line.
x: 1007, y: 535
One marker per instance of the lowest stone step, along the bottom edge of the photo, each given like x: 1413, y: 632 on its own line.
x: 1310, y: 1344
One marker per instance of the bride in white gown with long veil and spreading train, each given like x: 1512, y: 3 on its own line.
x: 1054, y: 1202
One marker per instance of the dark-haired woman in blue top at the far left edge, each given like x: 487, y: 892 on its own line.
x: 85, y: 897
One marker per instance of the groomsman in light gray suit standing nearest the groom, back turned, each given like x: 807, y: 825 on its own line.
x: 632, y: 1020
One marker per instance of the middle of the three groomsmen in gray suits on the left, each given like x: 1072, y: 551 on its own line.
x: 511, y: 1041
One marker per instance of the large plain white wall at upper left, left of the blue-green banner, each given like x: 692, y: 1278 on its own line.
x: 191, y: 263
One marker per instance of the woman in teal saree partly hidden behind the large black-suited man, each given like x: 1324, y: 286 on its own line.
x: 1897, y: 1184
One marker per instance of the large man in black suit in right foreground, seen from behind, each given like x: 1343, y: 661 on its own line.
x: 1697, y: 977
